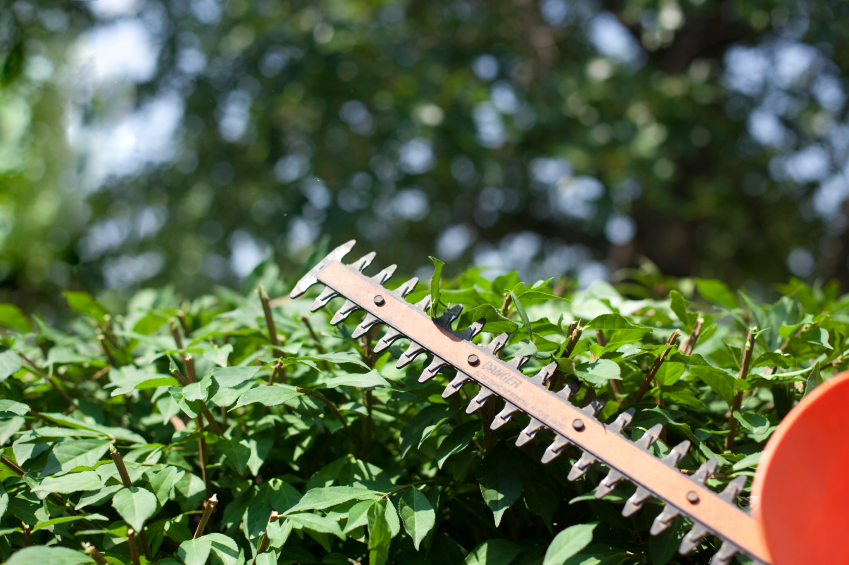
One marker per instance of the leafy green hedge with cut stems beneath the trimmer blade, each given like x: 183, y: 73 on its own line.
x: 205, y: 431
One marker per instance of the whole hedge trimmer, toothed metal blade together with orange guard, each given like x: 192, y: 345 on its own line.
x: 806, y: 459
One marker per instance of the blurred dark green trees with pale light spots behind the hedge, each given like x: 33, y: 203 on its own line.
x: 145, y: 142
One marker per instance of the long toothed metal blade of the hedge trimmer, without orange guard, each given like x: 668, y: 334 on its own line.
x: 712, y: 513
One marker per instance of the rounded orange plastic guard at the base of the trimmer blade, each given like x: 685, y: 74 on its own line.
x: 801, y: 490
